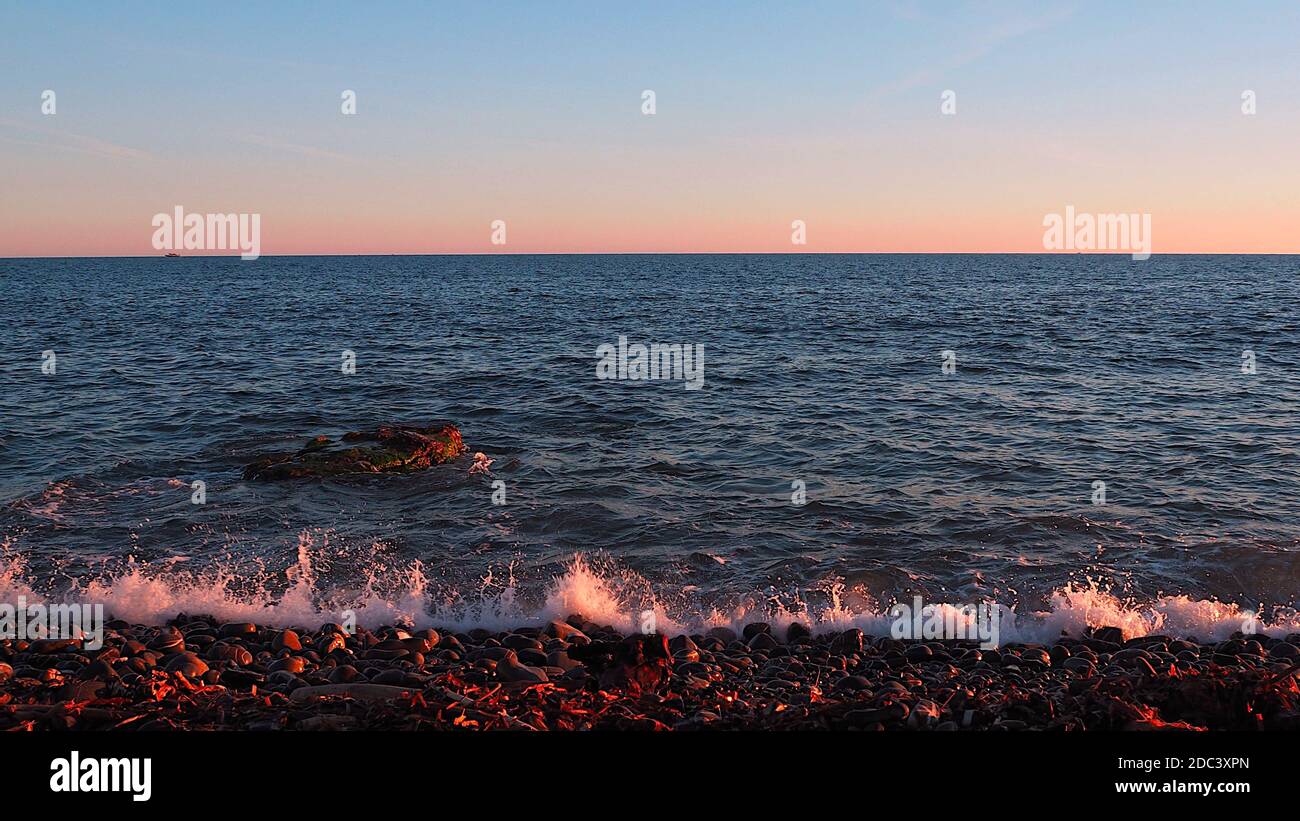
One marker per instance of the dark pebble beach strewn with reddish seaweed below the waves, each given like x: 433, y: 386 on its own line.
x: 198, y: 674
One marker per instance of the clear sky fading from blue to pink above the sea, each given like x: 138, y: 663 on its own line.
x: 766, y: 114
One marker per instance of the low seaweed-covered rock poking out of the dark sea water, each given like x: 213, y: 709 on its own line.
x: 391, y: 449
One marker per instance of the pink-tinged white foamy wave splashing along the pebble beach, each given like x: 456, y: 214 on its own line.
x: 608, y: 596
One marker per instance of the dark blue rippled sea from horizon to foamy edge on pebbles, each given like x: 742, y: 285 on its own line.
x: 821, y: 370
